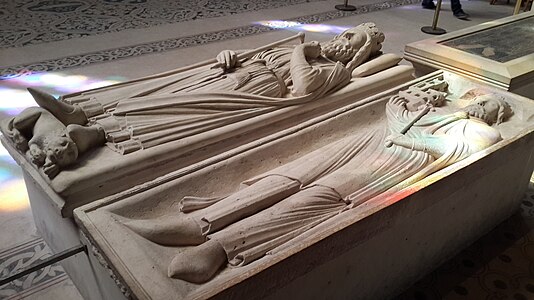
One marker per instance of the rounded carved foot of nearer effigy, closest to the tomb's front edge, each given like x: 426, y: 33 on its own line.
x: 198, y: 264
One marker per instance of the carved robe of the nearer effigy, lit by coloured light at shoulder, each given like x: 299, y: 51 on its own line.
x: 347, y: 172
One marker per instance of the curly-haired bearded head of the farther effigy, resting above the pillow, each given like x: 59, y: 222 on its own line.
x: 345, y: 46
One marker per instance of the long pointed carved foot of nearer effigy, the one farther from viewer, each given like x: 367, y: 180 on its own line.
x: 177, y: 230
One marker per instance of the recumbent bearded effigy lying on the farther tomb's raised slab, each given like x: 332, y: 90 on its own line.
x: 158, y: 110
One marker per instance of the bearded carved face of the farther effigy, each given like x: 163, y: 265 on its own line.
x: 343, y: 47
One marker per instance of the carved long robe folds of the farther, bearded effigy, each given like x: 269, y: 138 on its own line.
x: 155, y: 111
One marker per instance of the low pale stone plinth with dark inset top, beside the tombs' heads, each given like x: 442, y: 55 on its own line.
x: 498, y: 53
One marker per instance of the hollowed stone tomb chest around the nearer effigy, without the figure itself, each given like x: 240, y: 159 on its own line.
x: 371, y: 251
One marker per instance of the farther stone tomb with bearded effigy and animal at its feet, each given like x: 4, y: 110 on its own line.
x: 138, y: 134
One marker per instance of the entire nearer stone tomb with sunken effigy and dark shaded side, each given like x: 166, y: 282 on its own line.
x: 369, y: 196
